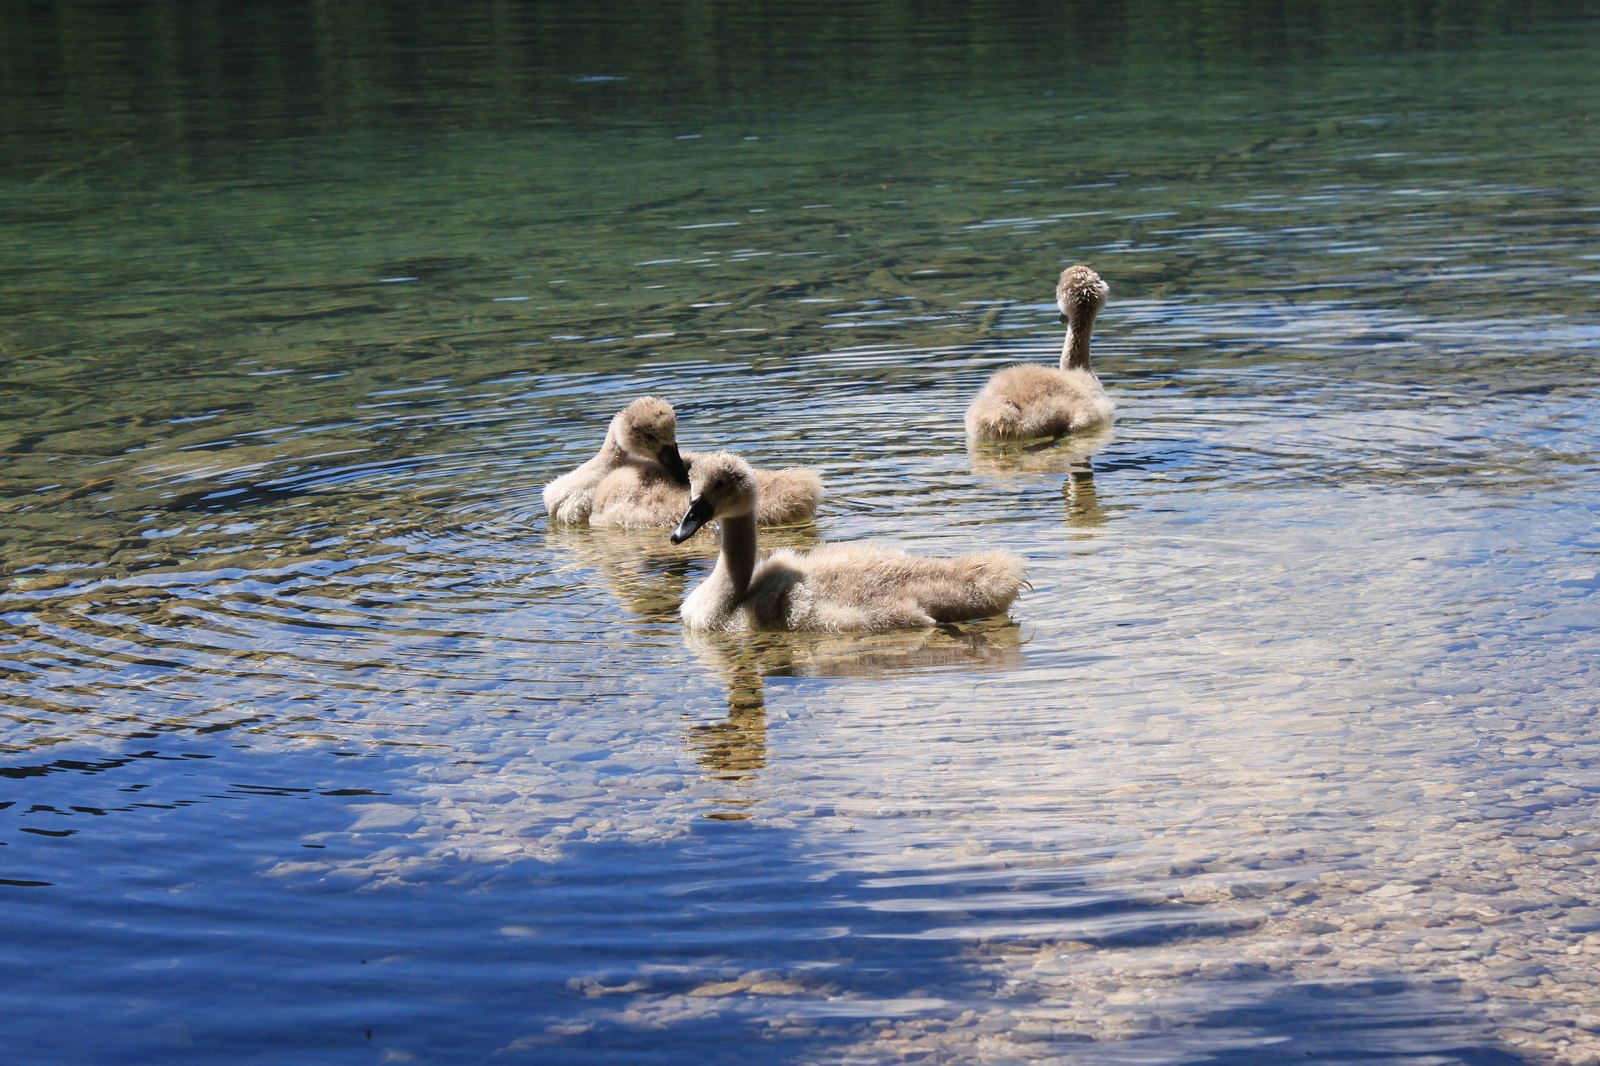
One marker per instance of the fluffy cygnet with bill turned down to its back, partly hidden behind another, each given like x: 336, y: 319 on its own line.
x: 639, y: 479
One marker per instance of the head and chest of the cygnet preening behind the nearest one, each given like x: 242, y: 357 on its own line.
x: 641, y: 449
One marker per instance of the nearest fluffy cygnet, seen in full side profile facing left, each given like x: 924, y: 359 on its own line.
x: 834, y: 588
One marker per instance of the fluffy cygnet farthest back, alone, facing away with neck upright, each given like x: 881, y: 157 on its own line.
x: 1030, y: 401
